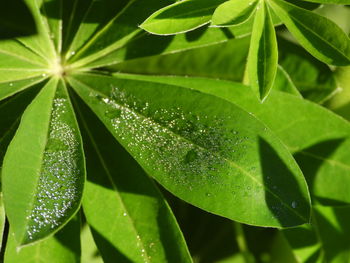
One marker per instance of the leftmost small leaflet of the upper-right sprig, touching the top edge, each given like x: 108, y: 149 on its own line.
x: 180, y: 17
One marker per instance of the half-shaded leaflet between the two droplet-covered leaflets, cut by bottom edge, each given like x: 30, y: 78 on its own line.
x: 135, y: 220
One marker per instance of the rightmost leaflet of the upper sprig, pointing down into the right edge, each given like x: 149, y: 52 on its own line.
x: 317, y: 34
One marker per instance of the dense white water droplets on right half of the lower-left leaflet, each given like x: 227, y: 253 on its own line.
x: 56, y: 191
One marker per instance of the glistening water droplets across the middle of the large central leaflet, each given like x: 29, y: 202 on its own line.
x: 181, y: 144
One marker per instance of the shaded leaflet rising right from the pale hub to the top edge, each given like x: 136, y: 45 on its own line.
x: 122, y: 26
